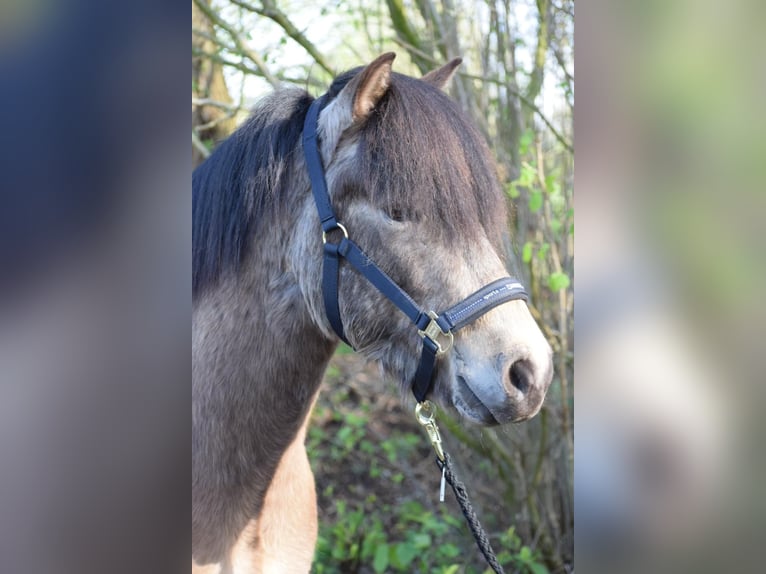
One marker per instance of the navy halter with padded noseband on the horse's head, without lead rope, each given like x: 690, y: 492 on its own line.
x: 431, y: 326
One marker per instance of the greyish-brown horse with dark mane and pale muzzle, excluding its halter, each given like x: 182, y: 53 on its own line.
x: 414, y: 184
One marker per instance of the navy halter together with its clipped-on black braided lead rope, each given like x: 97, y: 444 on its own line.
x: 436, y: 330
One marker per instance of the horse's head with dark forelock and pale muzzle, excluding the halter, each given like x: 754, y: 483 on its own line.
x: 415, y: 186
